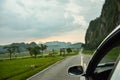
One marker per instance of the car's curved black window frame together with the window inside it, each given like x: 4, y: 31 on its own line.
x: 104, y: 58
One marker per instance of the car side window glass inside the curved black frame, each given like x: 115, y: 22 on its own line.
x: 106, y: 65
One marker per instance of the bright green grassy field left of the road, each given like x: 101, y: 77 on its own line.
x: 22, y: 68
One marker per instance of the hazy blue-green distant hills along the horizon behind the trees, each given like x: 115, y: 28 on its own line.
x: 56, y: 45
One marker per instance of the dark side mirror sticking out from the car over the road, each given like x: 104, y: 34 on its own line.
x: 75, y: 70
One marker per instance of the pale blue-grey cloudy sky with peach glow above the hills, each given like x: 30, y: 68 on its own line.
x: 46, y: 20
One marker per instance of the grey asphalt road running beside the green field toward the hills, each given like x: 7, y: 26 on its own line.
x: 59, y: 70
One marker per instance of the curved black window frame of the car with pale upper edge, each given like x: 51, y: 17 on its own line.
x: 112, y: 40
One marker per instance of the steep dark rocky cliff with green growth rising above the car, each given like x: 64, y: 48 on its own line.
x: 100, y: 27
